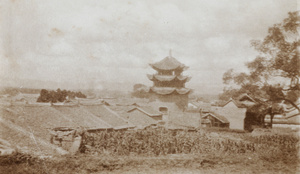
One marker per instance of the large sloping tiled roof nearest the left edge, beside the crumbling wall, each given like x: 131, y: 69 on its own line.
x: 19, y: 124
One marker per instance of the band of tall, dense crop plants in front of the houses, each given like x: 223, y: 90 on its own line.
x: 162, y: 142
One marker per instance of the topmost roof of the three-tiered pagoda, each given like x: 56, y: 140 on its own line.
x: 168, y: 63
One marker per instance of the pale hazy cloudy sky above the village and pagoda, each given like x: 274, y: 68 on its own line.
x: 92, y: 43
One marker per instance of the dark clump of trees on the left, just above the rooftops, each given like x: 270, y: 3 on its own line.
x: 58, y: 95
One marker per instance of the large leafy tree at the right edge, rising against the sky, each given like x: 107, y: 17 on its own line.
x: 274, y: 74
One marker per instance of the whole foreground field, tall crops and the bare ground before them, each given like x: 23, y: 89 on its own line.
x: 151, y: 151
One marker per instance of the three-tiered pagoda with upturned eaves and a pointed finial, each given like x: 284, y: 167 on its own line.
x: 168, y: 82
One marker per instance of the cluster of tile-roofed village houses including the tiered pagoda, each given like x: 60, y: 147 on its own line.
x: 168, y: 106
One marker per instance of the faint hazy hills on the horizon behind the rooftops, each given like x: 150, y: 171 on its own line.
x: 93, y: 88
